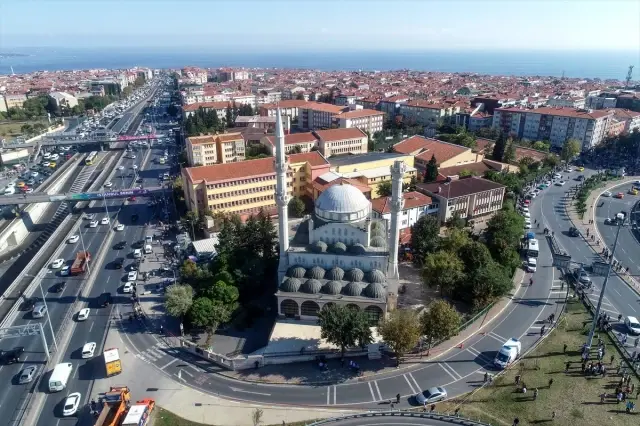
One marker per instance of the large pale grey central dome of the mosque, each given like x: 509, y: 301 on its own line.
x: 342, y: 203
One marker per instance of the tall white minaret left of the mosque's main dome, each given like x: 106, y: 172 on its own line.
x: 282, y: 197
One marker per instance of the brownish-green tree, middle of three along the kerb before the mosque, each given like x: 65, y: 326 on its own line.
x: 401, y: 330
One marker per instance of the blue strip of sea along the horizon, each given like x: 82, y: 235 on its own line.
x: 572, y: 64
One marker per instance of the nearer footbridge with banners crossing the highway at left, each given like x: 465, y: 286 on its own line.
x: 34, y: 198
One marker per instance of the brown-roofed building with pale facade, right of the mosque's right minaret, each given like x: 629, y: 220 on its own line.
x: 470, y: 198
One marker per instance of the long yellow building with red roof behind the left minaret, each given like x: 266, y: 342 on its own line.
x: 247, y: 187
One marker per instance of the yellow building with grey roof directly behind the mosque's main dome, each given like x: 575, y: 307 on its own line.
x: 371, y: 169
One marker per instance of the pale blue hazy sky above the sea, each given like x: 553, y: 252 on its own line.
x: 328, y: 25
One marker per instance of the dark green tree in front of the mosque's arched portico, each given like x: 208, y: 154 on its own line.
x: 344, y: 327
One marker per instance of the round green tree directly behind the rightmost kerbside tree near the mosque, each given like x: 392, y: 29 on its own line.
x: 443, y: 270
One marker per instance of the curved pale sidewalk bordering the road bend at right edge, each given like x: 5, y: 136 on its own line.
x: 583, y: 224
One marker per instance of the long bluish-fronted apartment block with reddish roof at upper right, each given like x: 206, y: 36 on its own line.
x: 554, y: 124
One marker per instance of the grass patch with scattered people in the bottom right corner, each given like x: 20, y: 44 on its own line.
x: 574, y: 397
